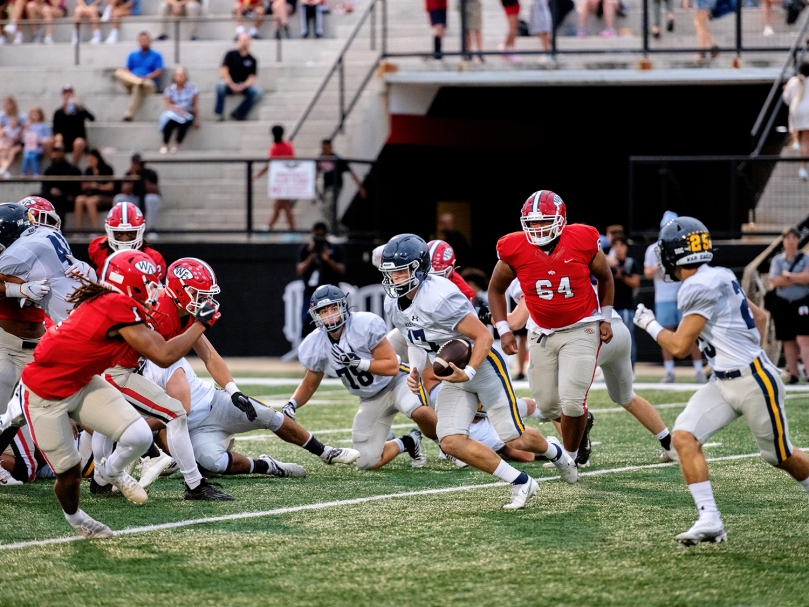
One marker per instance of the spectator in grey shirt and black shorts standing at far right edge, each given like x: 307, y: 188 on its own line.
x: 789, y: 273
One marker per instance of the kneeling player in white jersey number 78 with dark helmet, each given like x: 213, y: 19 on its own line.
x: 354, y: 347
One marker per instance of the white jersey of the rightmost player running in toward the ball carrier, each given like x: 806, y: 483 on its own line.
x: 729, y: 339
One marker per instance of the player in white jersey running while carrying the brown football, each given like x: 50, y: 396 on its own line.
x: 430, y: 311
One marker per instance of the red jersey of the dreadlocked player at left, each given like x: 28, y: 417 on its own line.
x: 70, y: 354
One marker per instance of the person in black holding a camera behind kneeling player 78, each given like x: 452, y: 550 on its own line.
x: 320, y: 262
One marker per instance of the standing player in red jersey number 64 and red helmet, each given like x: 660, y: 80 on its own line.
x: 554, y: 262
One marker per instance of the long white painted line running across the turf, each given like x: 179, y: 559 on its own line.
x: 351, y: 502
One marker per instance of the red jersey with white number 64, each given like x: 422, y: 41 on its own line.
x: 556, y: 286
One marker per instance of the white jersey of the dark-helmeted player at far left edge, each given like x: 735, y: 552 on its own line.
x: 42, y: 255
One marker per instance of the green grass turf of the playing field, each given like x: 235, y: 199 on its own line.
x: 605, y: 541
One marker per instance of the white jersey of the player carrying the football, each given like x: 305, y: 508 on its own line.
x: 432, y: 317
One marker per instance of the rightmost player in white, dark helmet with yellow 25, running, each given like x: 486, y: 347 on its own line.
x: 717, y: 313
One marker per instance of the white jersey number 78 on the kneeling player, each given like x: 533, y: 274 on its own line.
x: 362, y: 333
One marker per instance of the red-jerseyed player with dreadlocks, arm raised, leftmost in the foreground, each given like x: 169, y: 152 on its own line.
x: 63, y: 380
